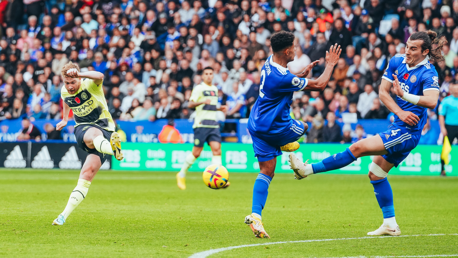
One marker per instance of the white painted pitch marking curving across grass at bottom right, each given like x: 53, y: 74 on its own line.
x: 215, y: 251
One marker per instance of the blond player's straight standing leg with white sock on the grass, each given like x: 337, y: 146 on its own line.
x: 88, y: 172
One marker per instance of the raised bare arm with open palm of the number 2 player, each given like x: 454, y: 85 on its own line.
x: 332, y: 56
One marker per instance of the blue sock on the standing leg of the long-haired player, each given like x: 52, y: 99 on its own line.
x: 384, y: 195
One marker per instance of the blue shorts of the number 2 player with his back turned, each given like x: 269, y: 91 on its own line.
x: 267, y: 146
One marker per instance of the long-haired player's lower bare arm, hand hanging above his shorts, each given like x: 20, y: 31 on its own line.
x: 406, y: 116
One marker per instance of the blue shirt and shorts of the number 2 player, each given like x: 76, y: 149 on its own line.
x: 270, y: 123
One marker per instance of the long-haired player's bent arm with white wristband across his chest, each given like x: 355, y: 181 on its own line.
x: 428, y: 100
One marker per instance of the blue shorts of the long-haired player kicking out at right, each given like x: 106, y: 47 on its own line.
x: 399, y: 141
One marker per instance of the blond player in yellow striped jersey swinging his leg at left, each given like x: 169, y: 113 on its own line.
x: 94, y: 129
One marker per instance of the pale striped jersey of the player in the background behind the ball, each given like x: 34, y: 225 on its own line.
x: 205, y: 113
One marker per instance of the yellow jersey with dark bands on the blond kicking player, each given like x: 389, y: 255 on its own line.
x: 89, y: 105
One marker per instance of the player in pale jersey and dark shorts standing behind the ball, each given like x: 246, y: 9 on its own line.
x: 204, y: 98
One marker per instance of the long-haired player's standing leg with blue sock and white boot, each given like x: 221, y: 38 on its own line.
x: 378, y: 175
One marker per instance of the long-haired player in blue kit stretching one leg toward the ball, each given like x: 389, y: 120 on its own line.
x: 415, y: 83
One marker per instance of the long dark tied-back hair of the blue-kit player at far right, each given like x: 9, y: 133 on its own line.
x: 429, y: 40
